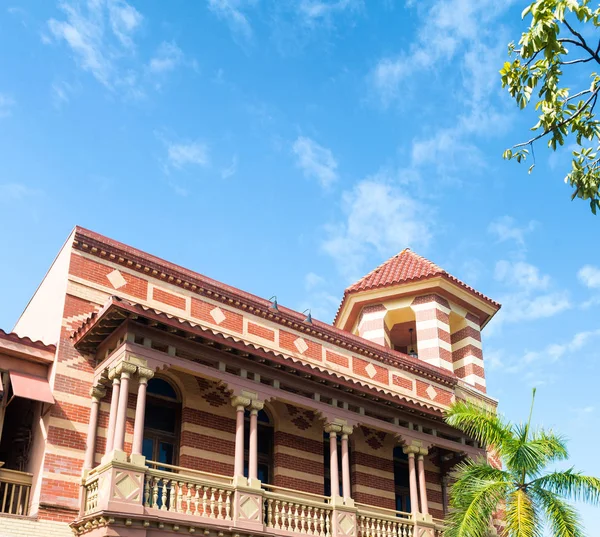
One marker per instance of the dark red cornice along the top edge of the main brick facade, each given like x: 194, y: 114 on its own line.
x: 136, y: 260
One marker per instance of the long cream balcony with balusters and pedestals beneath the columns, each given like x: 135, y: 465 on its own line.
x: 167, y: 497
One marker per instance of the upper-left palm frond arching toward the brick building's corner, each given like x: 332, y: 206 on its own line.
x: 482, y: 423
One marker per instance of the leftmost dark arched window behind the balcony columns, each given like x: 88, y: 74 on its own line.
x: 162, y: 422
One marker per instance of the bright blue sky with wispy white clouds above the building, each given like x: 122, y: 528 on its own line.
x: 288, y: 148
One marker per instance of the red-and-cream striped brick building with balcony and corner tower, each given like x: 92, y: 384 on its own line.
x: 143, y: 399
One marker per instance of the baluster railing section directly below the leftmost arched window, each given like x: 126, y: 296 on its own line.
x: 190, y: 492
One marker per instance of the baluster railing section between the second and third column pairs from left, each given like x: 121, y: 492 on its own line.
x: 293, y: 511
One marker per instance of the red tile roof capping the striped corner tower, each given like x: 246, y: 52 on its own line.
x: 403, y: 268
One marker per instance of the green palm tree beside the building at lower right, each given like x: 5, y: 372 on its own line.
x: 523, y: 488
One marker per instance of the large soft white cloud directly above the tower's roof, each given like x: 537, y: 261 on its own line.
x: 380, y: 220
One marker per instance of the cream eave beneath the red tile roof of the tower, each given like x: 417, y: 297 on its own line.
x: 442, y: 285
